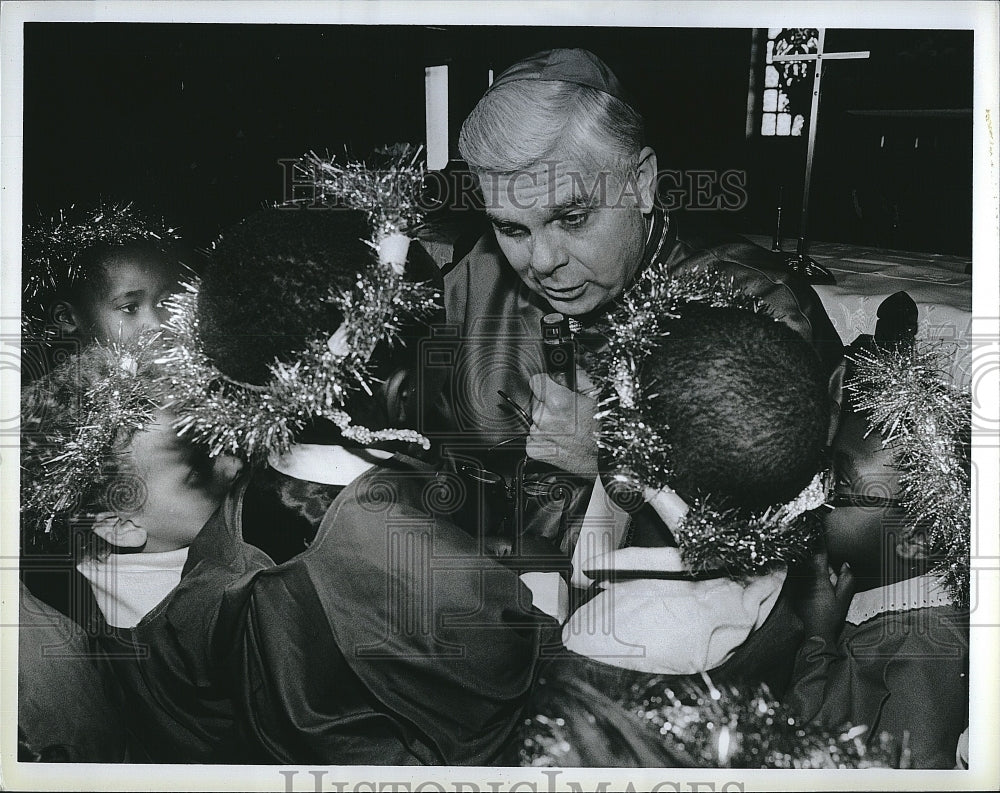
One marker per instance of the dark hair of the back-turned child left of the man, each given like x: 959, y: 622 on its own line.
x: 264, y: 292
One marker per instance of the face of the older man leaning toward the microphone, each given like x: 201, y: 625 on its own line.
x: 574, y: 237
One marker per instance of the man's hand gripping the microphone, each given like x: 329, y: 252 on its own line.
x: 563, y: 424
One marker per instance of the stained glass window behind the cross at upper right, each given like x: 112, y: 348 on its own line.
x: 787, y: 87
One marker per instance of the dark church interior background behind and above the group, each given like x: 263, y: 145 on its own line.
x: 192, y: 120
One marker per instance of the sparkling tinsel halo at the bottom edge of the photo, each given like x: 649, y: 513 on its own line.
x: 654, y: 721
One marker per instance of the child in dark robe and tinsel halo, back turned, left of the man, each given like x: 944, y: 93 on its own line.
x: 389, y: 639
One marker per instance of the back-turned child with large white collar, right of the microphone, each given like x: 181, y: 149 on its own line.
x: 727, y: 413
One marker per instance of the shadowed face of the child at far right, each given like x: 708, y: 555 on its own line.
x: 867, y: 520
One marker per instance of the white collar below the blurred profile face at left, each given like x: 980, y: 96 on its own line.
x: 127, y: 586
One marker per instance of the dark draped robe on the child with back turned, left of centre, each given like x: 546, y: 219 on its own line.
x: 391, y: 640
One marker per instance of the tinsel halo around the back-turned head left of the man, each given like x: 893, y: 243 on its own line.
x: 256, y: 420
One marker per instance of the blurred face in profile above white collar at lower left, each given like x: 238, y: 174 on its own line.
x: 182, y: 488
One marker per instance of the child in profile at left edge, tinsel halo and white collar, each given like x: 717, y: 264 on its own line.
x: 89, y: 450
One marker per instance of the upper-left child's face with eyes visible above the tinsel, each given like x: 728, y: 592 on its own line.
x: 131, y: 301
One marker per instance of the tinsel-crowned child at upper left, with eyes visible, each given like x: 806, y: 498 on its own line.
x: 100, y: 277
